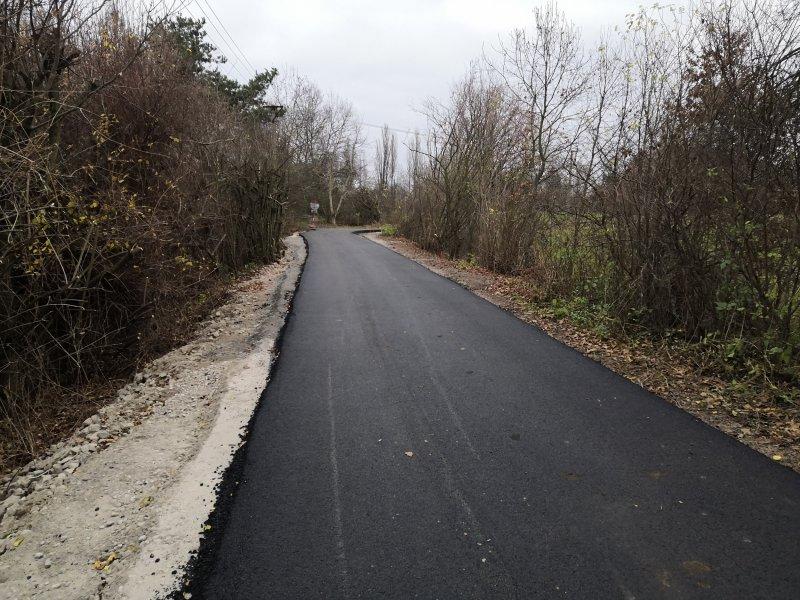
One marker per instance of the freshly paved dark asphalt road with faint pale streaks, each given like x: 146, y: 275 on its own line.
x: 418, y: 442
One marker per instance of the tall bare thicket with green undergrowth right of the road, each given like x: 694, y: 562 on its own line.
x: 653, y: 177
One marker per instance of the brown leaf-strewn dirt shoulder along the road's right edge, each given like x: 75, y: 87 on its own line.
x: 669, y: 370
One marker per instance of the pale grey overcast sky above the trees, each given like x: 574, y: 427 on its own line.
x: 385, y: 57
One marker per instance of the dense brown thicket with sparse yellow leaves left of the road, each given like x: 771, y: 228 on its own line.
x: 134, y: 178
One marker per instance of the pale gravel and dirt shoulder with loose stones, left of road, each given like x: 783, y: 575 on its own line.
x: 117, y: 510
